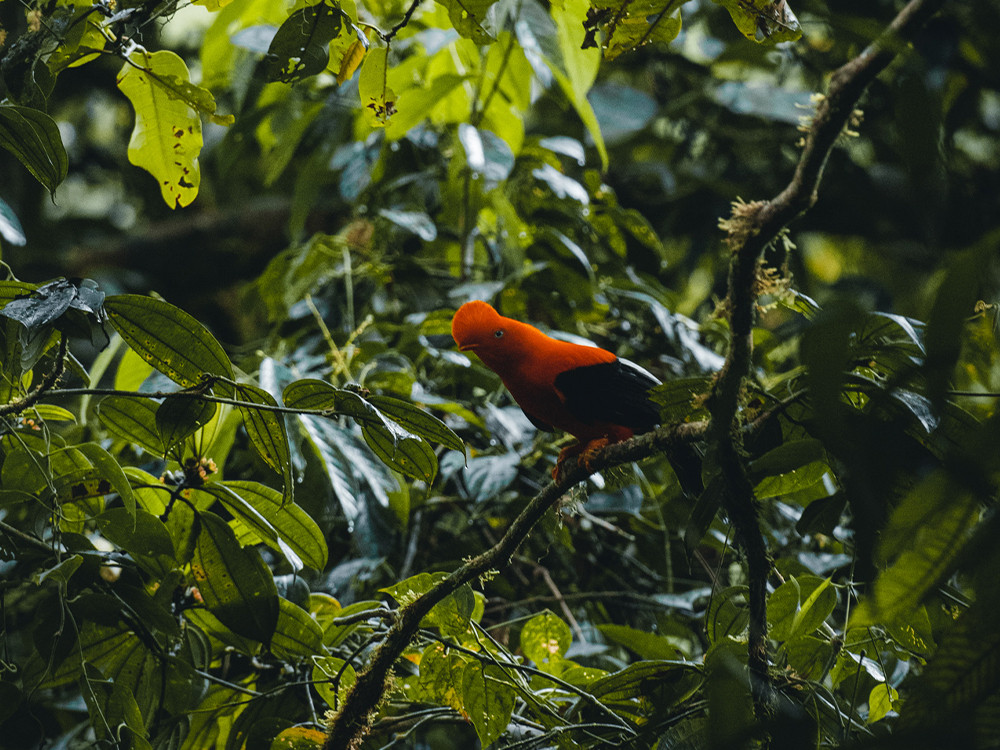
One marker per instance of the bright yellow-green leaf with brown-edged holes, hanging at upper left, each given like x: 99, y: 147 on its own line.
x: 166, y: 140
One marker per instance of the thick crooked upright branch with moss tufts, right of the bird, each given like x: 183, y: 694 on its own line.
x: 752, y: 228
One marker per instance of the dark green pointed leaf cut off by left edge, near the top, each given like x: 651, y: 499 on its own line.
x: 33, y: 137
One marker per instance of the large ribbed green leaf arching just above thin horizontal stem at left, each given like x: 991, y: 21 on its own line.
x: 168, y: 338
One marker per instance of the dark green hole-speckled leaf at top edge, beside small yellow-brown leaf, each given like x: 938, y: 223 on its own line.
x: 301, y: 46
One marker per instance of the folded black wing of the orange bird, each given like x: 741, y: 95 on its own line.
x: 615, y: 392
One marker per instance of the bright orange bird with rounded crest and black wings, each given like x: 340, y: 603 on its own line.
x: 586, y: 391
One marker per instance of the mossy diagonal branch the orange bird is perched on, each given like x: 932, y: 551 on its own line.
x: 351, y: 722
